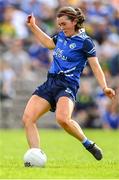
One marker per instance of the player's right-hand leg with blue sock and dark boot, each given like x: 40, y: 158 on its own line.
x: 64, y: 111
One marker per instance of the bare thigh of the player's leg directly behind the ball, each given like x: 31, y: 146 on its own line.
x: 35, y: 108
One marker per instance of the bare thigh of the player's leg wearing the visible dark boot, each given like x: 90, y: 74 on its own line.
x: 64, y: 108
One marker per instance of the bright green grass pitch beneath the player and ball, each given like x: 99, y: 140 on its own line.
x: 67, y: 158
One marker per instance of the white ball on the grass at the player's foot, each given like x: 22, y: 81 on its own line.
x: 35, y: 157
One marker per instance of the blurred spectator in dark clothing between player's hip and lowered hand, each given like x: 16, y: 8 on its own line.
x: 85, y: 109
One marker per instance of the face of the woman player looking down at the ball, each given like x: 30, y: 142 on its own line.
x: 66, y: 25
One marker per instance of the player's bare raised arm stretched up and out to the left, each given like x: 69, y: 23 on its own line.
x: 43, y: 37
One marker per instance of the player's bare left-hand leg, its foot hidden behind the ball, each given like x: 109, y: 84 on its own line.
x: 35, y: 108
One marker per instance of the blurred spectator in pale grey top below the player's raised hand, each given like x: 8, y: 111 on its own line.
x: 18, y: 59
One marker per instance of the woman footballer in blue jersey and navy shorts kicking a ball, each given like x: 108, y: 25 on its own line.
x: 72, y: 50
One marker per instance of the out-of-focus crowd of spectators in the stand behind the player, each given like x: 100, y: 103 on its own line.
x: 22, y: 56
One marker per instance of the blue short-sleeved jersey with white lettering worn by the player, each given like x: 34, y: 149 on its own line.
x: 71, y: 54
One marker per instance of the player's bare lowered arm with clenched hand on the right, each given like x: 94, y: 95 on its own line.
x: 97, y: 70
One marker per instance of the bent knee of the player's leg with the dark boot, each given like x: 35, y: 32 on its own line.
x: 62, y: 119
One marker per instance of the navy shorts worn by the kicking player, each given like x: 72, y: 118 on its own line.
x: 55, y: 87
